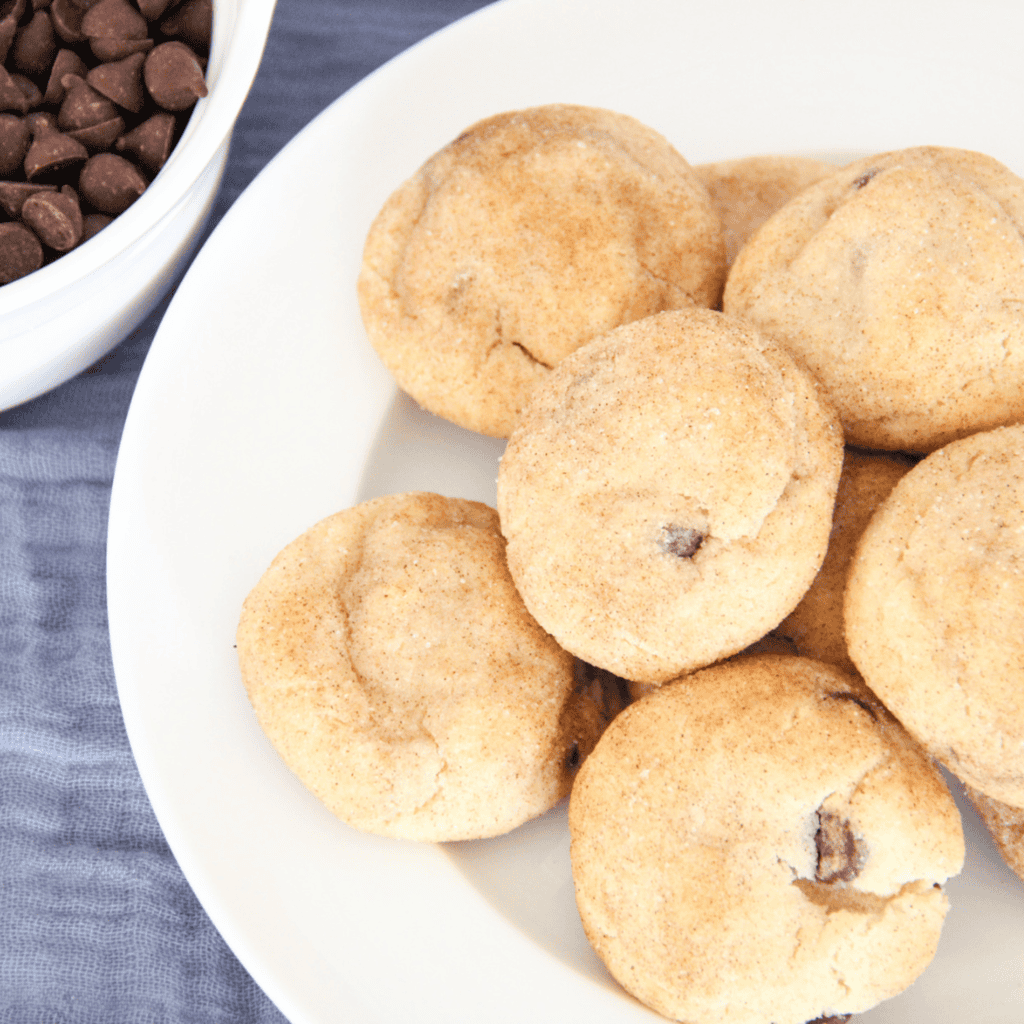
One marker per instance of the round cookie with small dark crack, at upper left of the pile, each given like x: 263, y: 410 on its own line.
x: 530, y: 234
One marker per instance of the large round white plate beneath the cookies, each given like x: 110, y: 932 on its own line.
x: 262, y: 409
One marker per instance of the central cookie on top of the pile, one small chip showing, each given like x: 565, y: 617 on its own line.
x: 667, y: 496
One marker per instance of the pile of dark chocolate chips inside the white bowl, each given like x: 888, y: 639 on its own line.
x: 94, y: 98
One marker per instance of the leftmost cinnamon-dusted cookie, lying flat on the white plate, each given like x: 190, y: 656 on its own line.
x: 393, y: 665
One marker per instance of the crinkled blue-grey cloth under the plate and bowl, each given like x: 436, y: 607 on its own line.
x: 98, y: 924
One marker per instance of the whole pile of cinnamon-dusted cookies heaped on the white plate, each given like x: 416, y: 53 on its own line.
x: 760, y: 481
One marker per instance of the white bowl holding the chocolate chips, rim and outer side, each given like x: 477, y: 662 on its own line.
x: 58, y: 321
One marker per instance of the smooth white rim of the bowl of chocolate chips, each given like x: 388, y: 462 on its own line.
x: 240, y: 33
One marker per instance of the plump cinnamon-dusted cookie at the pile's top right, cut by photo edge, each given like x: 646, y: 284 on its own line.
x: 900, y: 282
